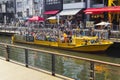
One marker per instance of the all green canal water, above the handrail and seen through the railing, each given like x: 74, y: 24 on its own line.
x: 77, y: 69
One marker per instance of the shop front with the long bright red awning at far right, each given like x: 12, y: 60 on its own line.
x: 102, y: 13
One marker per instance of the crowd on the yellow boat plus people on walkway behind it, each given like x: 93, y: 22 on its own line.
x: 62, y: 31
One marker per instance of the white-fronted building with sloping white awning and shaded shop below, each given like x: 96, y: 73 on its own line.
x: 73, y: 11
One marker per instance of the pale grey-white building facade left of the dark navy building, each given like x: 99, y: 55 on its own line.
x: 26, y: 8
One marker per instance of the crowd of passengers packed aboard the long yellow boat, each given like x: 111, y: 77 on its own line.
x: 63, y: 34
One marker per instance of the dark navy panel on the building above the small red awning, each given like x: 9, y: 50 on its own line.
x: 53, y: 5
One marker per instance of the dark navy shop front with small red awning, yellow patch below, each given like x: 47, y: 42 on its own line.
x: 52, y: 8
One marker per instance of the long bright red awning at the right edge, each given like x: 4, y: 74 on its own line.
x: 104, y: 9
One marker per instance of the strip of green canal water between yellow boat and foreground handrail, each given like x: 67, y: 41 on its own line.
x: 103, y: 57
